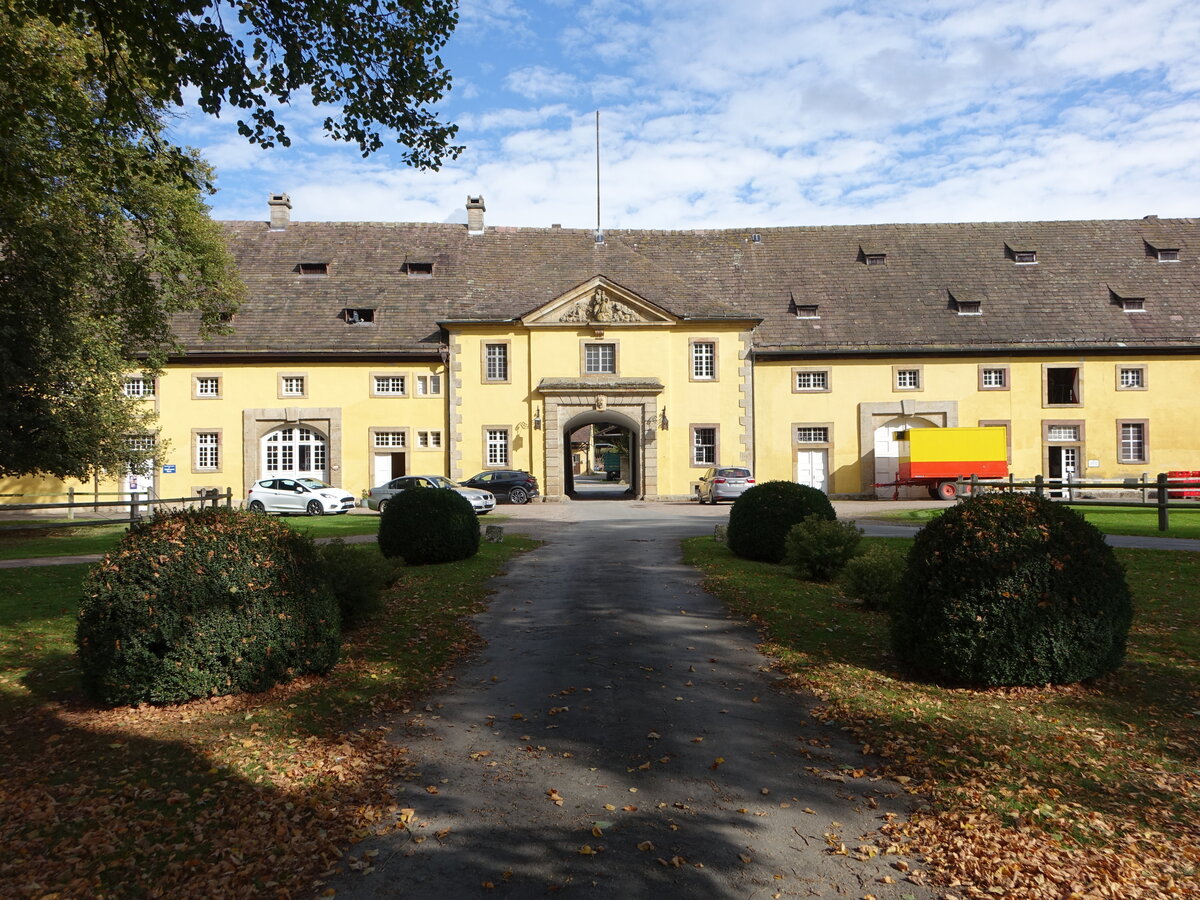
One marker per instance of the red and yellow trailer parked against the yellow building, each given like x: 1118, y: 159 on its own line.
x: 939, y: 458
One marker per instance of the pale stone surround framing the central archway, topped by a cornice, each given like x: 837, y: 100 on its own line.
x: 640, y: 407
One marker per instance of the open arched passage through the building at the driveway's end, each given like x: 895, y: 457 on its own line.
x: 613, y: 446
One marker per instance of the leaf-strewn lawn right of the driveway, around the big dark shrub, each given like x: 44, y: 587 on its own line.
x: 1097, y: 782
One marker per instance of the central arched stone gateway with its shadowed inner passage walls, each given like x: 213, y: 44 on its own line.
x: 631, y: 404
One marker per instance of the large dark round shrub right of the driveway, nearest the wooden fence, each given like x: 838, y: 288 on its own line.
x: 1011, y: 590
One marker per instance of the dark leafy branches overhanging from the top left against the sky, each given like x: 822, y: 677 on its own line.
x: 374, y: 62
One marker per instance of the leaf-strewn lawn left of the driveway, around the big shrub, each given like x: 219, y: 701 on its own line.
x: 254, y: 795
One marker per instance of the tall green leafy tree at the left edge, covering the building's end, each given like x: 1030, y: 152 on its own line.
x: 103, y: 241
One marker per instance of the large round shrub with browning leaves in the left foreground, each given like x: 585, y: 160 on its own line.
x: 205, y: 603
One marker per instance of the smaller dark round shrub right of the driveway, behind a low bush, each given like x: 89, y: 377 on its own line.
x: 761, y: 518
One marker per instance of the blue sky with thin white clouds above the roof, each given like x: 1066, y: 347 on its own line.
x: 775, y: 113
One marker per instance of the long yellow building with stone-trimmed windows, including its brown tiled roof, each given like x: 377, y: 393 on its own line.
x: 367, y: 351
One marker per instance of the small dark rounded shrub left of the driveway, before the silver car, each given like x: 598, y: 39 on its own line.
x: 429, y: 525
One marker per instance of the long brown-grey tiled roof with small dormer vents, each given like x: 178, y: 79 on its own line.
x: 1067, y: 301
